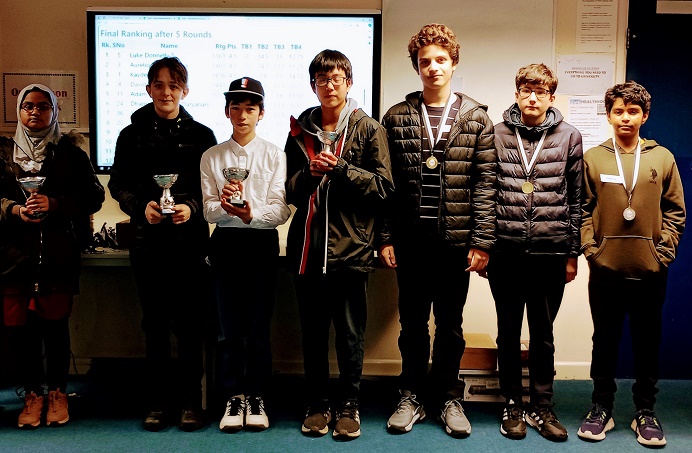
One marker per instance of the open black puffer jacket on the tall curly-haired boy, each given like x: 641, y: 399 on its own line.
x: 467, y: 211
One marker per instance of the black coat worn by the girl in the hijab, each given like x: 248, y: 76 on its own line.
x: 49, y: 252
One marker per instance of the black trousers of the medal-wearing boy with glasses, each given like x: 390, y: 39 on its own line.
x: 536, y: 282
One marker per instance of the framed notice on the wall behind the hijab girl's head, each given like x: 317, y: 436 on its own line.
x: 63, y: 84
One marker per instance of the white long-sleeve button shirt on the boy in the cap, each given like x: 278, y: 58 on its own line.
x: 264, y: 187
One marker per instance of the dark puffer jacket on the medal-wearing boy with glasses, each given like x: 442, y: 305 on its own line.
x: 546, y: 221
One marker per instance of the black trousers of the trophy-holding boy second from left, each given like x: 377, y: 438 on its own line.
x: 173, y: 289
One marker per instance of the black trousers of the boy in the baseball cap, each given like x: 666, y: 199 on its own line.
x: 244, y: 263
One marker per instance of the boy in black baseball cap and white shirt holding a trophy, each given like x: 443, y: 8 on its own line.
x: 243, y: 185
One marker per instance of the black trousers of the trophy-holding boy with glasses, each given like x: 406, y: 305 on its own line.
x: 338, y: 297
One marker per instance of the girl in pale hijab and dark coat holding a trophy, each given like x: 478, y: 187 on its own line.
x: 41, y: 238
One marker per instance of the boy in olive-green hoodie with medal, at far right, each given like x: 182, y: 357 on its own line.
x: 632, y: 220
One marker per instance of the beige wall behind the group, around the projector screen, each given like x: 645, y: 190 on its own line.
x: 496, y: 39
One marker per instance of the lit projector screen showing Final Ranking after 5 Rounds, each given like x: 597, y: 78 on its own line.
x: 217, y: 47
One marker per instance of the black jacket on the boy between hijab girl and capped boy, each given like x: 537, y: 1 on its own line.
x: 152, y: 145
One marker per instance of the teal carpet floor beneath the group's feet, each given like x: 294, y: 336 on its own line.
x: 106, y: 418
